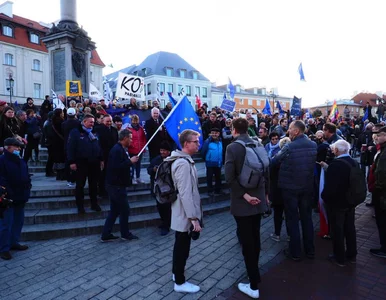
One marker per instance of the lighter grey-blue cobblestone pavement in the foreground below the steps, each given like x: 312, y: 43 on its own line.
x: 84, y: 268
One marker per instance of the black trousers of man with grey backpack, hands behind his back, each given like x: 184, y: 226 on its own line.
x: 248, y: 229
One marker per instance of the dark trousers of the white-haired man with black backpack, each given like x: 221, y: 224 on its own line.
x: 343, y: 228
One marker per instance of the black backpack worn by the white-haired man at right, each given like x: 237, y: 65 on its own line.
x: 357, y: 191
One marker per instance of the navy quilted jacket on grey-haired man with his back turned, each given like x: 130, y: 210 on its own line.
x: 297, y: 164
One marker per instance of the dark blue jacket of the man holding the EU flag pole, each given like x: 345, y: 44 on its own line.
x: 118, y: 168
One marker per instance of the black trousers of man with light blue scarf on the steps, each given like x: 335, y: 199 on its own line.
x: 90, y: 171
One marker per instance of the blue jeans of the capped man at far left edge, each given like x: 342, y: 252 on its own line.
x: 10, y: 227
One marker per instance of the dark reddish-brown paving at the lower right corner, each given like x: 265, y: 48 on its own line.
x: 319, y: 278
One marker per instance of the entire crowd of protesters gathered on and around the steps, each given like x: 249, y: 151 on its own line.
x: 298, y: 166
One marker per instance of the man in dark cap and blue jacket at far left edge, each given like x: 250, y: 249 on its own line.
x: 15, y: 179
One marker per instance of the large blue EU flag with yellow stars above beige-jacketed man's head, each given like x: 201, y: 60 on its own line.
x: 180, y: 118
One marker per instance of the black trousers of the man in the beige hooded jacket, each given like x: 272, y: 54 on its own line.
x: 180, y: 256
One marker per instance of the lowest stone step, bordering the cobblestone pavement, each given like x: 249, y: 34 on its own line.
x: 87, y: 227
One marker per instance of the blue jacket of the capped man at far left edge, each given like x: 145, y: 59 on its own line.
x: 14, y: 176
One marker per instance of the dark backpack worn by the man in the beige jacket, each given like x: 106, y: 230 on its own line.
x: 164, y: 189
